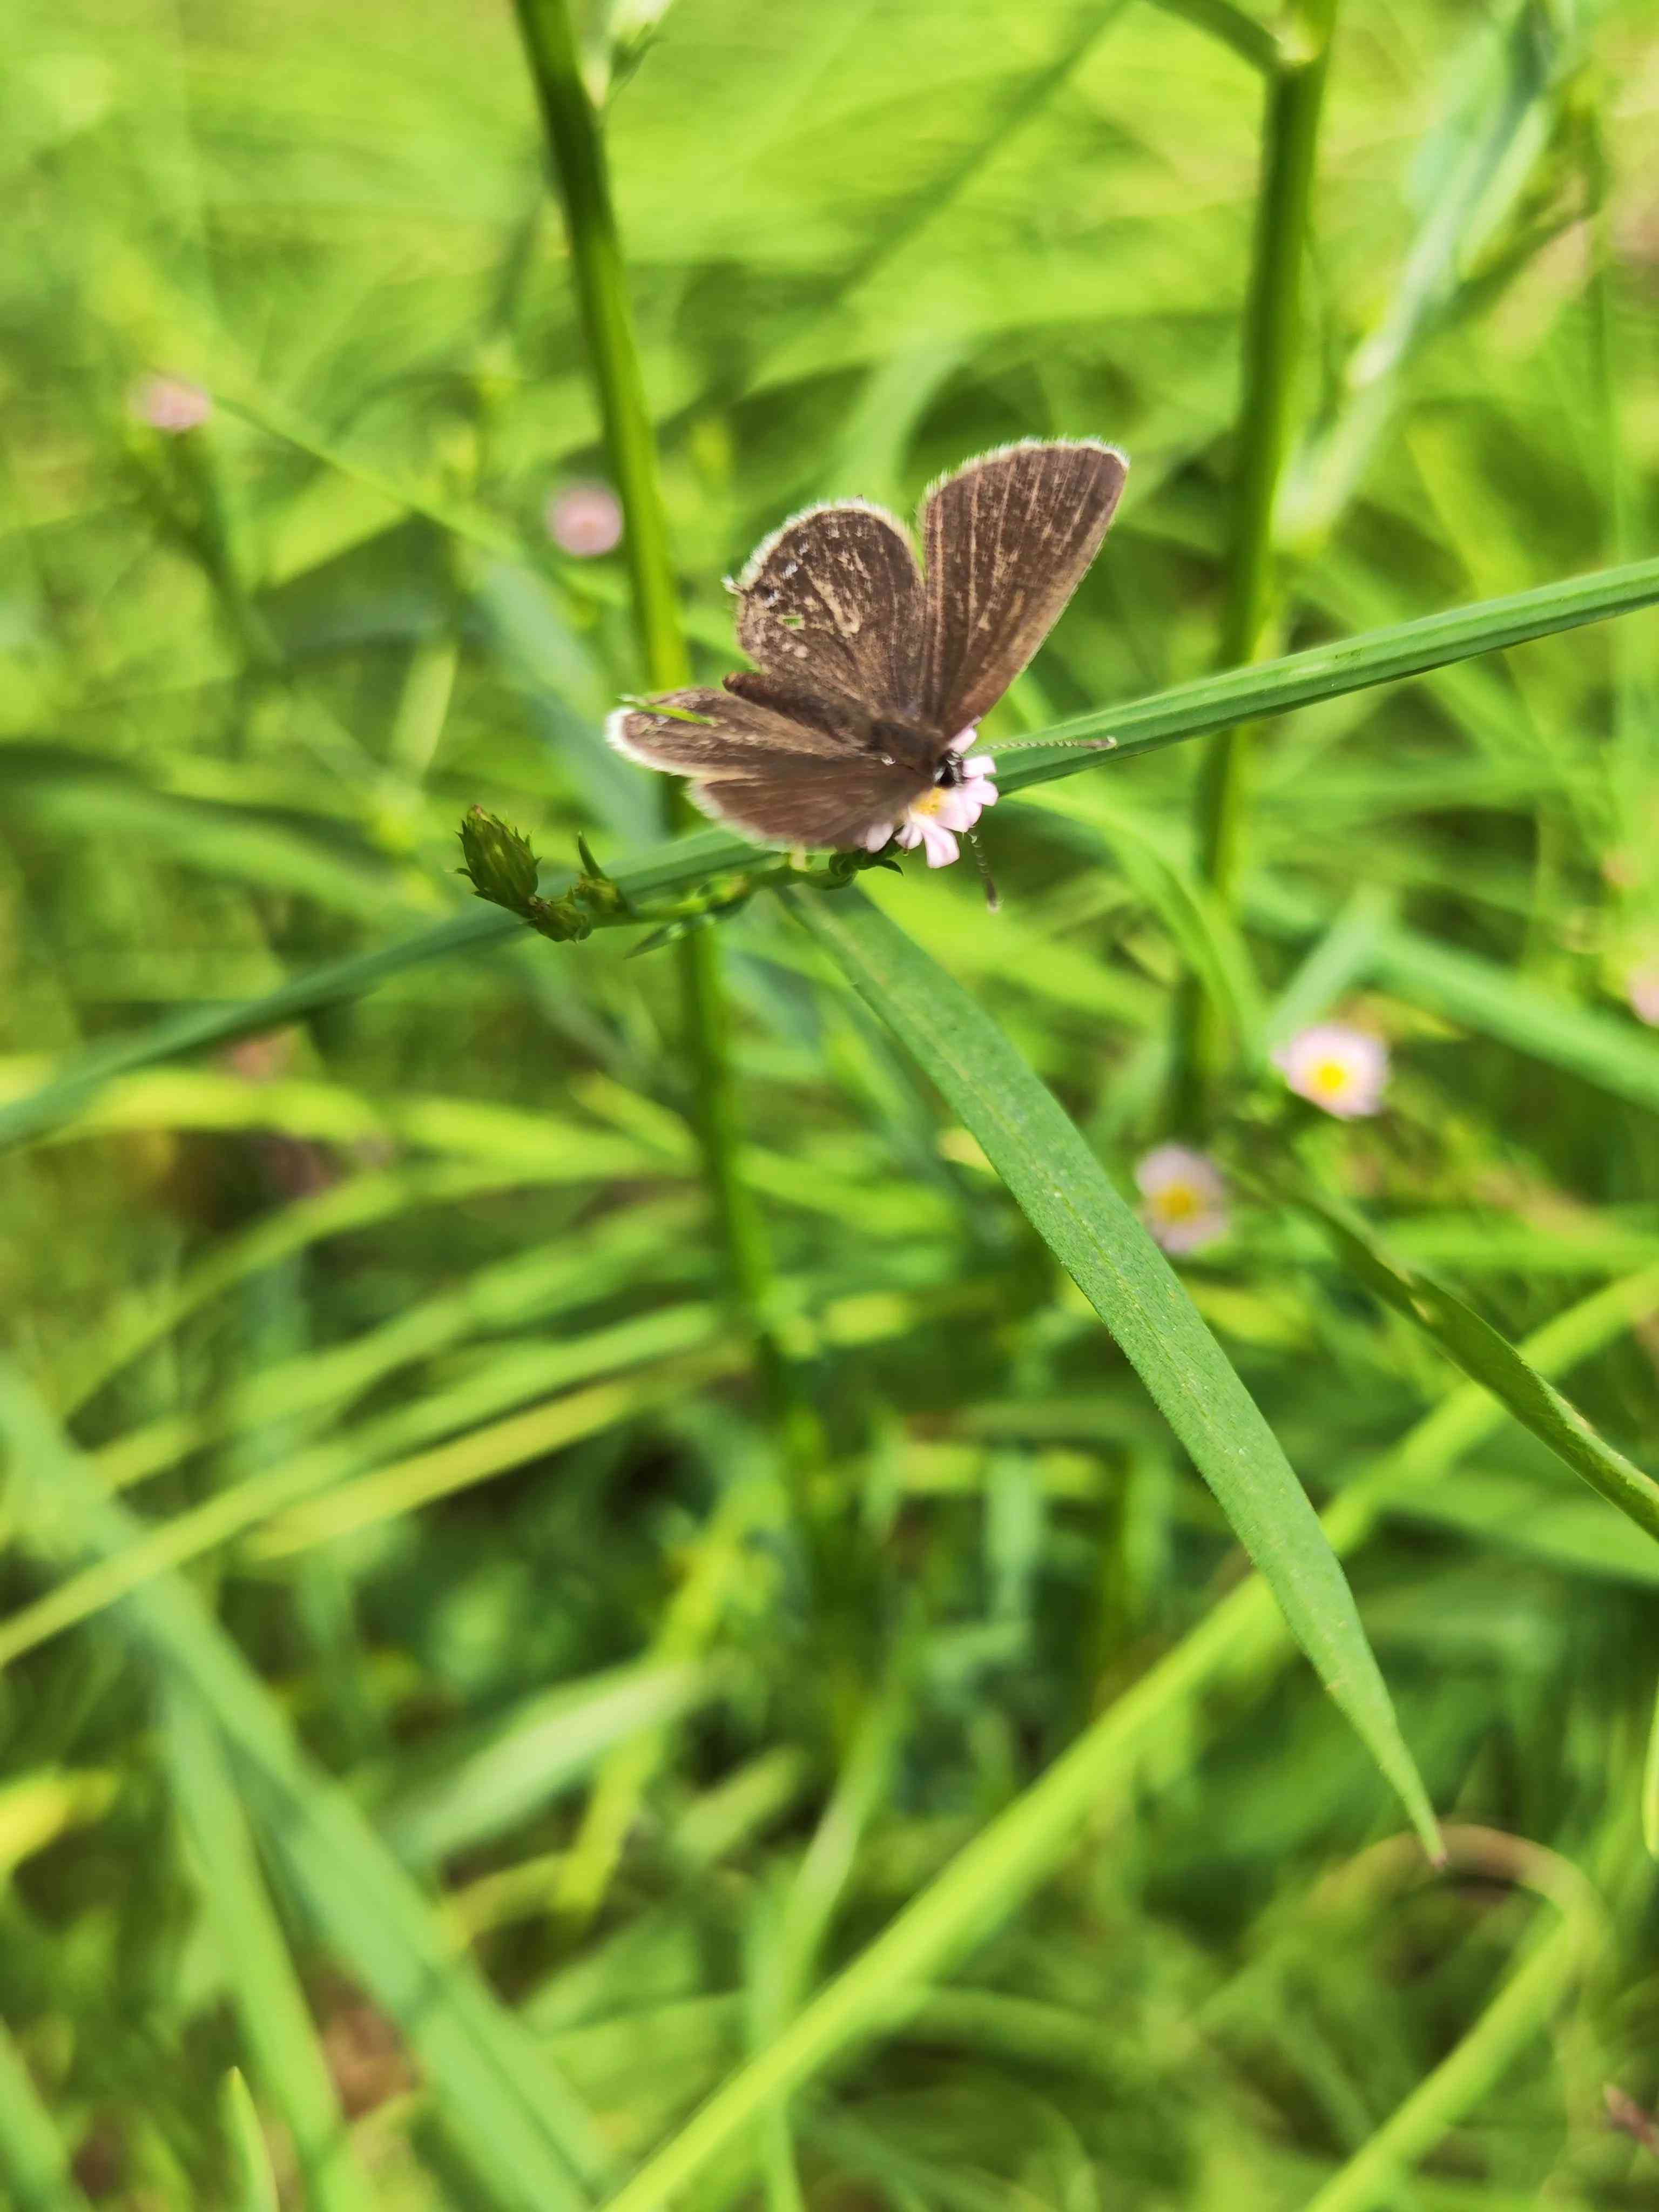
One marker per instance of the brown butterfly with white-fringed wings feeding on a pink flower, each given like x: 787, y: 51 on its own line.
x: 875, y: 674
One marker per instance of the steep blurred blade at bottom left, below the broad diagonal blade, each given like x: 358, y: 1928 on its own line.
x: 255, y: 1959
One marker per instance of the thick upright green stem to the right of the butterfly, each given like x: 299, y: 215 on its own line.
x: 1271, y: 351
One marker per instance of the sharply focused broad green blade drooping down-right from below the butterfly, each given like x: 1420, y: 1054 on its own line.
x: 1067, y: 1198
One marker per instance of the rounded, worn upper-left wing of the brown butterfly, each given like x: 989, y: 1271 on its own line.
x: 835, y: 603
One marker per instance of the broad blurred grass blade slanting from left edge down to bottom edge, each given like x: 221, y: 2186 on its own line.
x: 519, y: 2129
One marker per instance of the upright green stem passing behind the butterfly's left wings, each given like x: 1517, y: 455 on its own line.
x: 614, y: 357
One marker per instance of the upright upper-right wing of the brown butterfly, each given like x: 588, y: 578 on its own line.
x: 1005, y: 545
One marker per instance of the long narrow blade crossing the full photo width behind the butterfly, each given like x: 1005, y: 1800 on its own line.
x: 1187, y: 711
